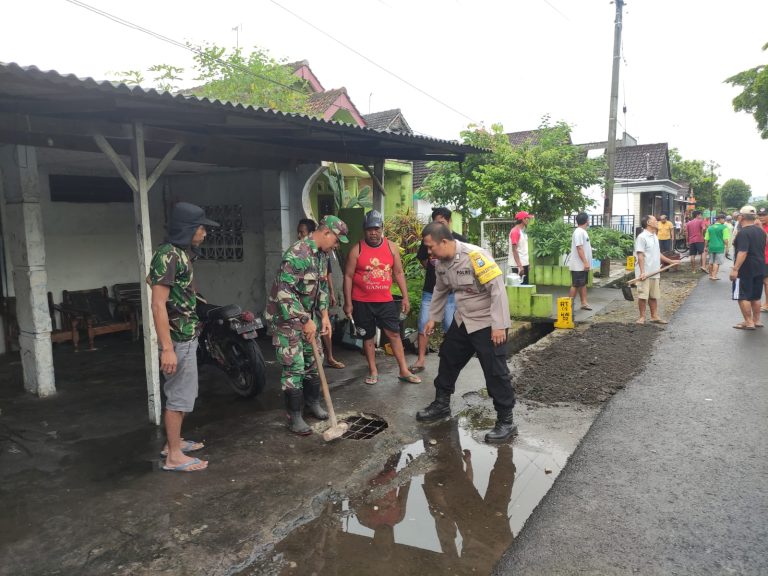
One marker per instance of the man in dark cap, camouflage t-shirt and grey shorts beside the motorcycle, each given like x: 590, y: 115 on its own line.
x: 174, y: 299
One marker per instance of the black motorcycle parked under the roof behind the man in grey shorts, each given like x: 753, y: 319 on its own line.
x: 228, y: 341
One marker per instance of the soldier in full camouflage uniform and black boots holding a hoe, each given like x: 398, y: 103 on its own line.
x: 298, y: 297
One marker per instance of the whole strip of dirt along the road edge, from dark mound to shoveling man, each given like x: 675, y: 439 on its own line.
x: 591, y: 363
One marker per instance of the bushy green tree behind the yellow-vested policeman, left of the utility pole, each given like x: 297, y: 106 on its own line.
x: 546, y: 176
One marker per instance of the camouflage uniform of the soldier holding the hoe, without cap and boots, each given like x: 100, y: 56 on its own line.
x: 300, y: 289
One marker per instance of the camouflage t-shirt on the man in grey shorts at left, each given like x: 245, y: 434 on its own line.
x: 171, y: 266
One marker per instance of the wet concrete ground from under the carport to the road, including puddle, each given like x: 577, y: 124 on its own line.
x: 82, y: 493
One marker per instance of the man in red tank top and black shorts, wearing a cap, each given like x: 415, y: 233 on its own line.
x: 368, y: 274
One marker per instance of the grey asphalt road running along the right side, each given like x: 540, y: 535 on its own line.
x: 671, y: 478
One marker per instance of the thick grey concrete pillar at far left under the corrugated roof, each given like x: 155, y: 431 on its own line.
x: 24, y: 234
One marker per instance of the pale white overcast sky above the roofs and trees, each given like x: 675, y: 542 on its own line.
x: 507, y: 61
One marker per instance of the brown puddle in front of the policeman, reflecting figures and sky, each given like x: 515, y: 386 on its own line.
x: 457, y: 517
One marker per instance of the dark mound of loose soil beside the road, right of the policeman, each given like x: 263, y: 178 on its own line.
x: 586, y: 366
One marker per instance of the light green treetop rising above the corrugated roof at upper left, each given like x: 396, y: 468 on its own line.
x: 255, y: 79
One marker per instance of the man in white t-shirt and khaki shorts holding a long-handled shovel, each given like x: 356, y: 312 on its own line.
x: 648, y: 259
